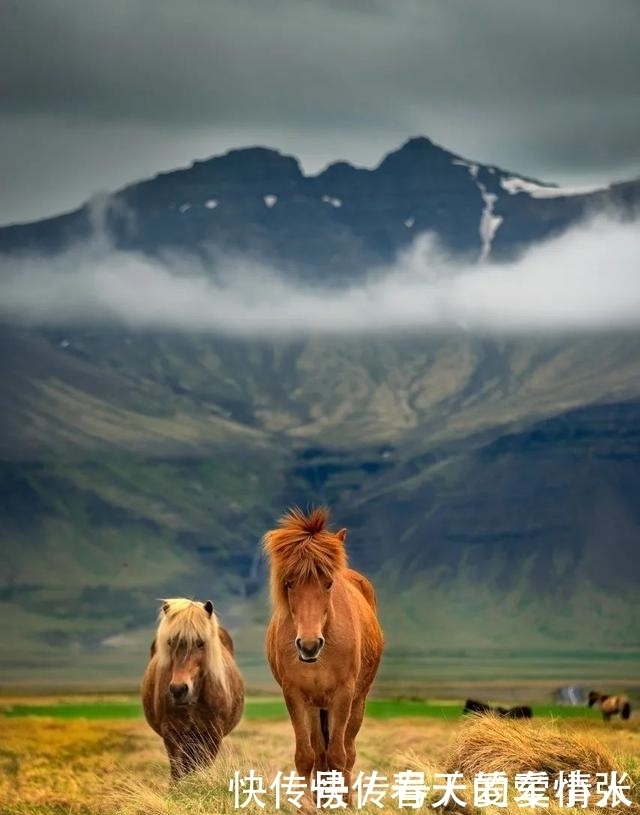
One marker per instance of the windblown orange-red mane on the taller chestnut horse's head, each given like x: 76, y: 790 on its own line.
x: 301, y: 548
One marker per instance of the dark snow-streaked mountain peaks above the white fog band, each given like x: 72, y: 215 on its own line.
x: 335, y: 225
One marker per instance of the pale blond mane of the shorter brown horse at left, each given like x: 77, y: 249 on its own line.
x: 187, y: 621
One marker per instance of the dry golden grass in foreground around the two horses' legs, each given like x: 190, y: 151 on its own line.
x: 78, y: 767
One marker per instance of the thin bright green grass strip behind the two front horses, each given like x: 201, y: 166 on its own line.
x: 274, y: 709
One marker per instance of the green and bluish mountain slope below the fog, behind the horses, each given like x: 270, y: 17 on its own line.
x: 490, y: 511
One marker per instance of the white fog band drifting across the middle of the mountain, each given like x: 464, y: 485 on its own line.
x: 555, y: 285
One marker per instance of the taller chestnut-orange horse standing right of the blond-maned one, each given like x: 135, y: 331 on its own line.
x: 323, y: 643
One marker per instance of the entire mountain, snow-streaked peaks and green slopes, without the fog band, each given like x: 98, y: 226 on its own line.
x: 490, y: 484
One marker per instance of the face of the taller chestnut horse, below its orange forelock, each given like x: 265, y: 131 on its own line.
x: 309, y: 607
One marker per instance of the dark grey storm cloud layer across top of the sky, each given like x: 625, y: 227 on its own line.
x: 235, y: 61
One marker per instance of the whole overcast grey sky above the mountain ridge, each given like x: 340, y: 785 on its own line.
x: 96, y: 94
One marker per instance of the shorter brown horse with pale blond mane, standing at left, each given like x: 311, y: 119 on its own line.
x: 192, y: 691
